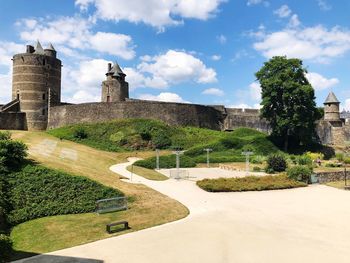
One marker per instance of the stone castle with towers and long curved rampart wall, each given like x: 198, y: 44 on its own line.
x: 36, y: 103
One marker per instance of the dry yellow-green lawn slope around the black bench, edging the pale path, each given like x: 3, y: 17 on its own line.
x: 148, y: 209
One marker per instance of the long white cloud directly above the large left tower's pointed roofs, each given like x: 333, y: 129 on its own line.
x: 73, y: 33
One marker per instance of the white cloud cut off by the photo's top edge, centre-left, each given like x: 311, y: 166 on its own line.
x: 152, y: 12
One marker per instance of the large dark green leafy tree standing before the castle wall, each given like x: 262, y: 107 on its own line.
x: 288, y: 100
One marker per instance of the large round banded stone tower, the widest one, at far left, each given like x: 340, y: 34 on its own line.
x: 36, y: 83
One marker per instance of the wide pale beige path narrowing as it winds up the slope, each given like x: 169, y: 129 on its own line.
x: 298, y: 225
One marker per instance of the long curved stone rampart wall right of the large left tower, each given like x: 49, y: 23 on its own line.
x: 172, y: 113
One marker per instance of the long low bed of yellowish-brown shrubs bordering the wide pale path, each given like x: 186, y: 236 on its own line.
x: 251, y: 183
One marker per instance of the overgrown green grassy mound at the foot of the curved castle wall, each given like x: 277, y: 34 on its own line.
x: 141, y: 134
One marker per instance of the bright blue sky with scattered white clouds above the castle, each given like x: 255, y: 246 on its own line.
x: 192, y: 51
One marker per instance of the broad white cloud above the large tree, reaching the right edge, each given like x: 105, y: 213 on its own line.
x: 314, y: 43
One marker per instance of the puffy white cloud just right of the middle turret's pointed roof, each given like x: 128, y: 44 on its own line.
x: 173, y: 67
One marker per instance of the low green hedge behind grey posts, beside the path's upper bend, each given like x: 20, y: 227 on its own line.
x: 168, y: 161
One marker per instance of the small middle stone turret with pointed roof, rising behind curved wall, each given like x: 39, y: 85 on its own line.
x: 115, y: 88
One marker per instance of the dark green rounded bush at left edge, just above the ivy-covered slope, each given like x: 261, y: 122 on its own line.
x: 12, y: 153
